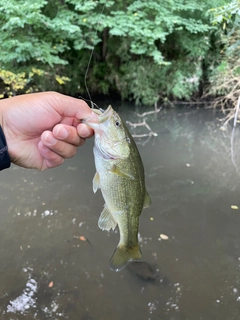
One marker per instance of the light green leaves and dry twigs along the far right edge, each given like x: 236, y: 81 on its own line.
x: 225, y: 78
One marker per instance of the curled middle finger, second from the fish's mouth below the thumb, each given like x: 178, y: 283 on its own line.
x: 68, y: 134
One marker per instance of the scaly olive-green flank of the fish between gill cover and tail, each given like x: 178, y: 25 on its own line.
x: 119, y: 192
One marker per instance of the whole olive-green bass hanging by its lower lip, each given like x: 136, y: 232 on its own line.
x: 120, y: 177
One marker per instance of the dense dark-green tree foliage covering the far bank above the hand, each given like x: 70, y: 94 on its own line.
x: 143, y: 50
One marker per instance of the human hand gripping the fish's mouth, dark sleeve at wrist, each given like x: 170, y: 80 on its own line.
x: 42, y: 129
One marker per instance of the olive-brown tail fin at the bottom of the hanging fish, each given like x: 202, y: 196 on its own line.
x: 122, y: 255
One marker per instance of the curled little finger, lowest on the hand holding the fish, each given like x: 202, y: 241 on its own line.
x: 51, y: 159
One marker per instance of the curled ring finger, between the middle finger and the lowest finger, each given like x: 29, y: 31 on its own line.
x: 62, y: 148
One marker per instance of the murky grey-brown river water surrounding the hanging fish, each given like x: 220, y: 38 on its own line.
x: 192, y: 176
